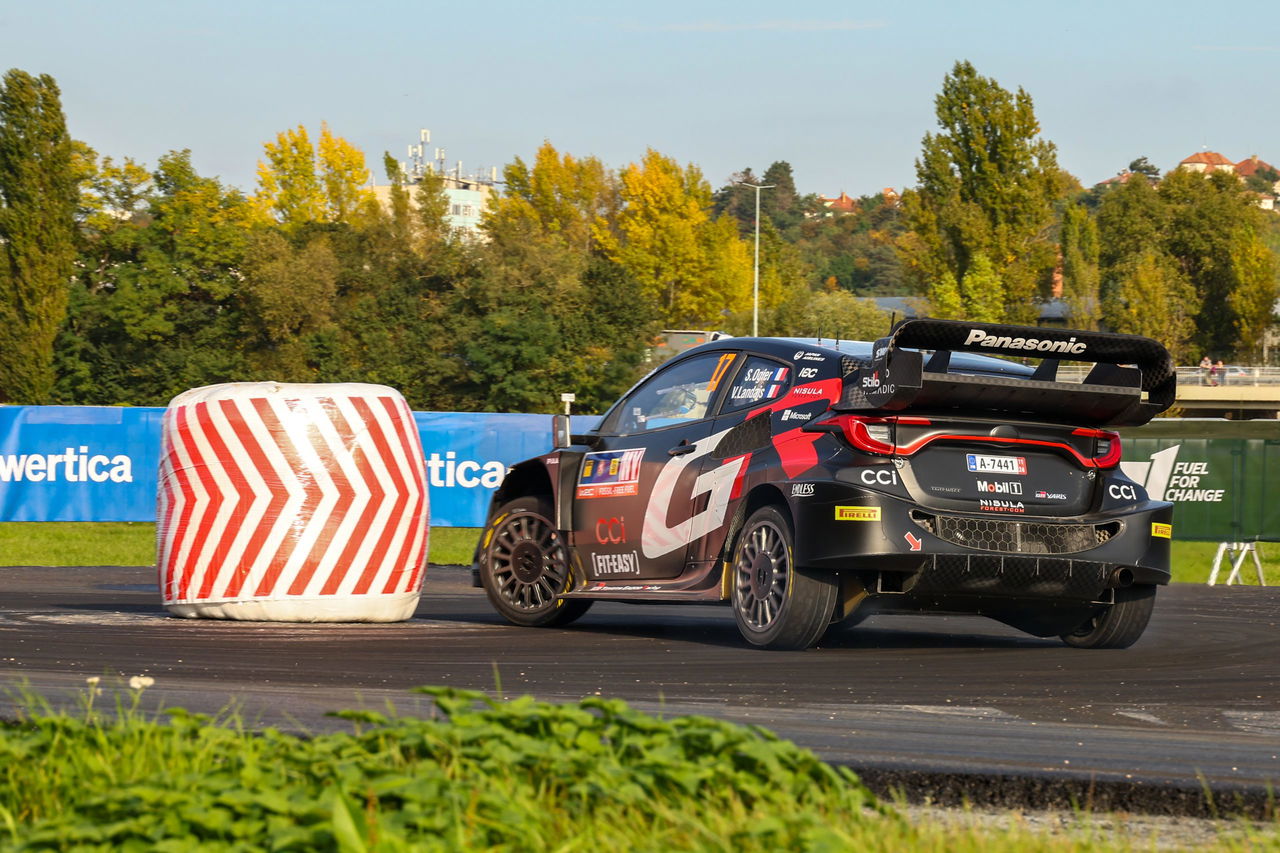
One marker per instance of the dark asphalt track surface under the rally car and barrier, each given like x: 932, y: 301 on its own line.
x: 948, y: 708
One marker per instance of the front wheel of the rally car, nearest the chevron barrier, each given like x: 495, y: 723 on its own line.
x: 525, y: 567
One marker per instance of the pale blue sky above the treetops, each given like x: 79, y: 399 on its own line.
x: 844, y: 92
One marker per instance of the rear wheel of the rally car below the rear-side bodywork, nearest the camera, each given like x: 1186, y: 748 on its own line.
x: 778, y: 605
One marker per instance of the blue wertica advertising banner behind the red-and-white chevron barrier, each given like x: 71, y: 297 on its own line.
x: 100, y: 463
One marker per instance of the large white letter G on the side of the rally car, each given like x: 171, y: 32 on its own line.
x: 717, y: 483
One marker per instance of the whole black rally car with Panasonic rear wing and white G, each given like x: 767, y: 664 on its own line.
x: 808, y: 482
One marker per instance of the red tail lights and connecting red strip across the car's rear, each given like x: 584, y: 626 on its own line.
x: 877, y: 436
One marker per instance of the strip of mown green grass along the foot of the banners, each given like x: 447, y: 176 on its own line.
x: 111, y: 544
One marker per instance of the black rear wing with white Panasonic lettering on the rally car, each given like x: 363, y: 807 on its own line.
x: 1132, y: 382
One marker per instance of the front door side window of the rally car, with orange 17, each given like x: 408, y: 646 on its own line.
x: 680, y: 395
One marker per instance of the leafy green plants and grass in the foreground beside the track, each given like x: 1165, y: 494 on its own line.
x: 483, y: 774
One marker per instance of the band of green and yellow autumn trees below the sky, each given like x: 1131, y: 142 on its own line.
x: 127, y: 284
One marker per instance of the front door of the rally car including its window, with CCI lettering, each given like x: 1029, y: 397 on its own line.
x: 636, y: 491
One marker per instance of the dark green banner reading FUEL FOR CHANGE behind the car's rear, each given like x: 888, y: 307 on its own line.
x: 1223, y: 477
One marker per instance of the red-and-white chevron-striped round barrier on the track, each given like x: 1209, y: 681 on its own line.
x: 292, y: 503
